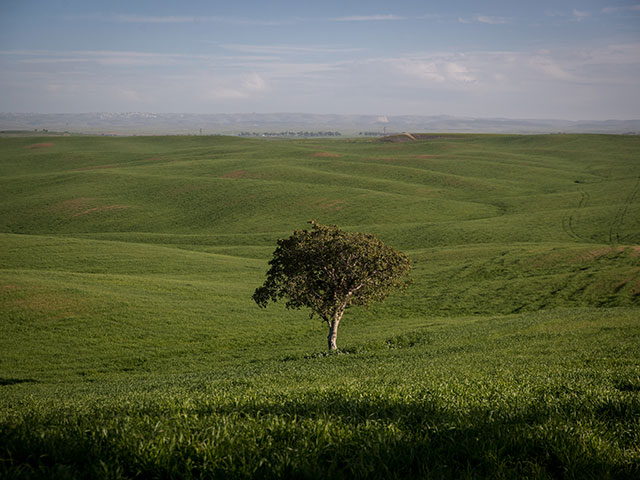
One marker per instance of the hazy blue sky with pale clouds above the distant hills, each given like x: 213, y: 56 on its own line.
x: 571, y: 60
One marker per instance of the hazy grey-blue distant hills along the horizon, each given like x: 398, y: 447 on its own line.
x: 132, y: 123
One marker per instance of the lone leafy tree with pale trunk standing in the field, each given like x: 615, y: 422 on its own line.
x: 328, y: 270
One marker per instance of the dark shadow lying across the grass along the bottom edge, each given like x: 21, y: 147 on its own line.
x: 324, y: 434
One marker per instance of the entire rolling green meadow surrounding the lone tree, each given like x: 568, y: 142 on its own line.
x: 130, y: 346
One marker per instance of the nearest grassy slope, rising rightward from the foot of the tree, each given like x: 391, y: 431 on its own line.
x: 516, y: 397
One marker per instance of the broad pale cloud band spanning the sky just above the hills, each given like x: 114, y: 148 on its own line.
x: 285, y: 77
